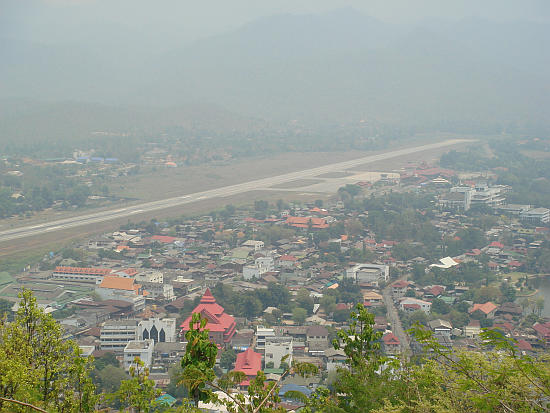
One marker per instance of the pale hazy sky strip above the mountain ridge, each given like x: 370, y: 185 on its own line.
x: 183, y: 20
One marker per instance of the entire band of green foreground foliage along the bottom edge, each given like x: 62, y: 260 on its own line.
x: 39, y: 368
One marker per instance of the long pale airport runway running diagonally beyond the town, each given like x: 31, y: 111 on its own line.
x: 62, y: 224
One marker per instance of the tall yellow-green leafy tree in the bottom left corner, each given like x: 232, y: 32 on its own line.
x: 37, y: 365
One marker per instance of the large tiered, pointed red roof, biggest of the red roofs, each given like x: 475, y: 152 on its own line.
x: 221, y: 326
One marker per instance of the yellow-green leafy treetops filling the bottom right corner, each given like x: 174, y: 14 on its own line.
x: 498, y: 379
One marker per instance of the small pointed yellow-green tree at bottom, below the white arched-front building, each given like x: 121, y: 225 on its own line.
x: 138, y: 393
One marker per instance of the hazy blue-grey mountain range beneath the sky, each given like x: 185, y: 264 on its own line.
x: 340, y: 66
